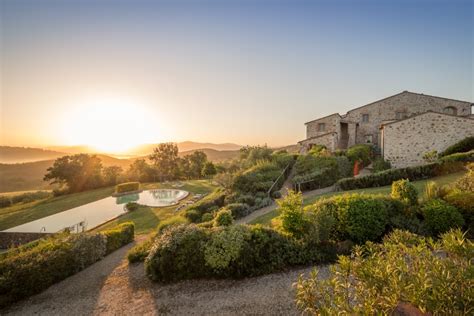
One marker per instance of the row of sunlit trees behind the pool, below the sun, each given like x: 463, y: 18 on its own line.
x: 76, y: 173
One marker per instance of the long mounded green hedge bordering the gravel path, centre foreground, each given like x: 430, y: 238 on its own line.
x: 236, y: 251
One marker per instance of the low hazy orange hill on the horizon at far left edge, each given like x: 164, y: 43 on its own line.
x: 26, y: 154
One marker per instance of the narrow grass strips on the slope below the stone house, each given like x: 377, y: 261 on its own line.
x: 419, y: 185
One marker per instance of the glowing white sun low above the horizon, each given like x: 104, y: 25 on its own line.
x: 109, y: 125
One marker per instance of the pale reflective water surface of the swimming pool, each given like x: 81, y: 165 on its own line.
x: 99, y: 212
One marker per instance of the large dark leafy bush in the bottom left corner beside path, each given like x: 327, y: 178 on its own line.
x: 30, y: 270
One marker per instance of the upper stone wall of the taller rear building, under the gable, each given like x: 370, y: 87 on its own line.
x: 406, y: 104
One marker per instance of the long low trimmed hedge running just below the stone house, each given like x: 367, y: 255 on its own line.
x: 387, y: 177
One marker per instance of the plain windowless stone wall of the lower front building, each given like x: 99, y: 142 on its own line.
x: 405, y: 142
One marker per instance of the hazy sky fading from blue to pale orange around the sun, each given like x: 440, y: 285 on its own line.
x: 218, y: 71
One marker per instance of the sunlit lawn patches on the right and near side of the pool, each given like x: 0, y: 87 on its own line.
x: 147, y: 218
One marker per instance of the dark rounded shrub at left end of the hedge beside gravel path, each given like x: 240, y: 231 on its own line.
x: 178, y: 254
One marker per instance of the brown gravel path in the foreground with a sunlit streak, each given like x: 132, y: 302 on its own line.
x: 112, y: 287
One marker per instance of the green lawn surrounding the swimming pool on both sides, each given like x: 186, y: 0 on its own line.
x: 145, y: 218
